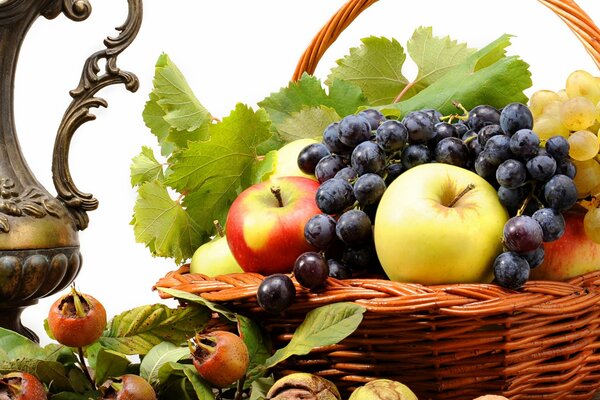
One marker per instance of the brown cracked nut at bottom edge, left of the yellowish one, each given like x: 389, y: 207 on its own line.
x: 303, y: 386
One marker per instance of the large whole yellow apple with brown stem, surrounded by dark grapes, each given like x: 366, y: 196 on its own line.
x: 438, y: 223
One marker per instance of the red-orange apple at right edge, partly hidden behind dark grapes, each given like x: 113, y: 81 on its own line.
x: 572, y: 255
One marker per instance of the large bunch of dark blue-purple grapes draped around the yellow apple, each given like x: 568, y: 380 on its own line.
x: 363, y: 154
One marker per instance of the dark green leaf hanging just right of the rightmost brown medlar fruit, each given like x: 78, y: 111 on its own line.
x: 259, y: 347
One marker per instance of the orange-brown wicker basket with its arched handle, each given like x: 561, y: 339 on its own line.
x: 455, y: 341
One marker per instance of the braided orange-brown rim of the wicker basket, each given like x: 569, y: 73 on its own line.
x: 385, y: 296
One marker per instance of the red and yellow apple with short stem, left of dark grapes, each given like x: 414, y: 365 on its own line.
x: 265, y: 231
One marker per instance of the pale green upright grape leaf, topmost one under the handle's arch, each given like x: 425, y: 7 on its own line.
x: 434, y: 56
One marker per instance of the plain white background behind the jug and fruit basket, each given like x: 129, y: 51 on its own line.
x: 230, y: 51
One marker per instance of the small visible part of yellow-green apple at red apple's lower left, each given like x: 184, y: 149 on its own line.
x: 214, y: 258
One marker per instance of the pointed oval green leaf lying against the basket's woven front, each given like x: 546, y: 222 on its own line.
x: 322, y: 326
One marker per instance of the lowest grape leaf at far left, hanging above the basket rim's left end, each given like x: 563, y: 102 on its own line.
x: 163, y: 224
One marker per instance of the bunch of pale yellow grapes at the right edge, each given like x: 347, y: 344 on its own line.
x: 574, y: 114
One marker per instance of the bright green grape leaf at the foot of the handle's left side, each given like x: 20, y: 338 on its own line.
x: 308, y: 92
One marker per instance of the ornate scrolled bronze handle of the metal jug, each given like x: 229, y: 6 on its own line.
x: 84, y: 98
